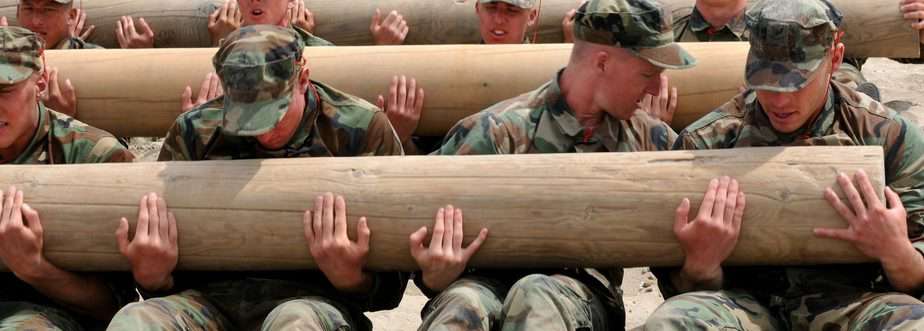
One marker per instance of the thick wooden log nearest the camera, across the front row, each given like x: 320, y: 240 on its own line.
x: 565, y: 210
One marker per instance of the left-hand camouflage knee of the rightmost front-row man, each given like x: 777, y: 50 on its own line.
x: 719, y: 310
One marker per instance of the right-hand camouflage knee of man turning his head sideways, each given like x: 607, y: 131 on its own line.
x: 541, y: 302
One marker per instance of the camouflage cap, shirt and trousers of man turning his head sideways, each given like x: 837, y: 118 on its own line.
x: 542, y: 122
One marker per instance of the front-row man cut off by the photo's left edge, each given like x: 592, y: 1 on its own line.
x: 36, y: 294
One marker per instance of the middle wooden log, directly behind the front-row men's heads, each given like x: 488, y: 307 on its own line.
x: 137, y: 92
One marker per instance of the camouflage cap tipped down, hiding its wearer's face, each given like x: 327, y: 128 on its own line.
x: 258, y: 66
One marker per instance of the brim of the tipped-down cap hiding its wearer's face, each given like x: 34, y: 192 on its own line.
x: 253, y: 119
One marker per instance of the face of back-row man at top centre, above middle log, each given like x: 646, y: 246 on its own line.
x: 502, y: 23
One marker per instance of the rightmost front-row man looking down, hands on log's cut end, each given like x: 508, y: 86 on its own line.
x: 794, y: 101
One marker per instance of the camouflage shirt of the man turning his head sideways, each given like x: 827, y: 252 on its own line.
x: 541, y: 122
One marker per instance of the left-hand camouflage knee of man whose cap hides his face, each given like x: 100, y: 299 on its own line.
x: 184, y: 311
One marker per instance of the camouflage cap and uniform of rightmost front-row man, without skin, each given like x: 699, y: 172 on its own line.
x: 854, y: 297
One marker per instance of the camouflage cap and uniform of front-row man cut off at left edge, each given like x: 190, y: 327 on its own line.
x: 58, y: 139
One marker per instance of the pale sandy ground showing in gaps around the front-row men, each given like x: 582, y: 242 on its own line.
x: 897, y: 82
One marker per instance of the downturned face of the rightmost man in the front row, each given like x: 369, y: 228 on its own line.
x: 788, y: 112
